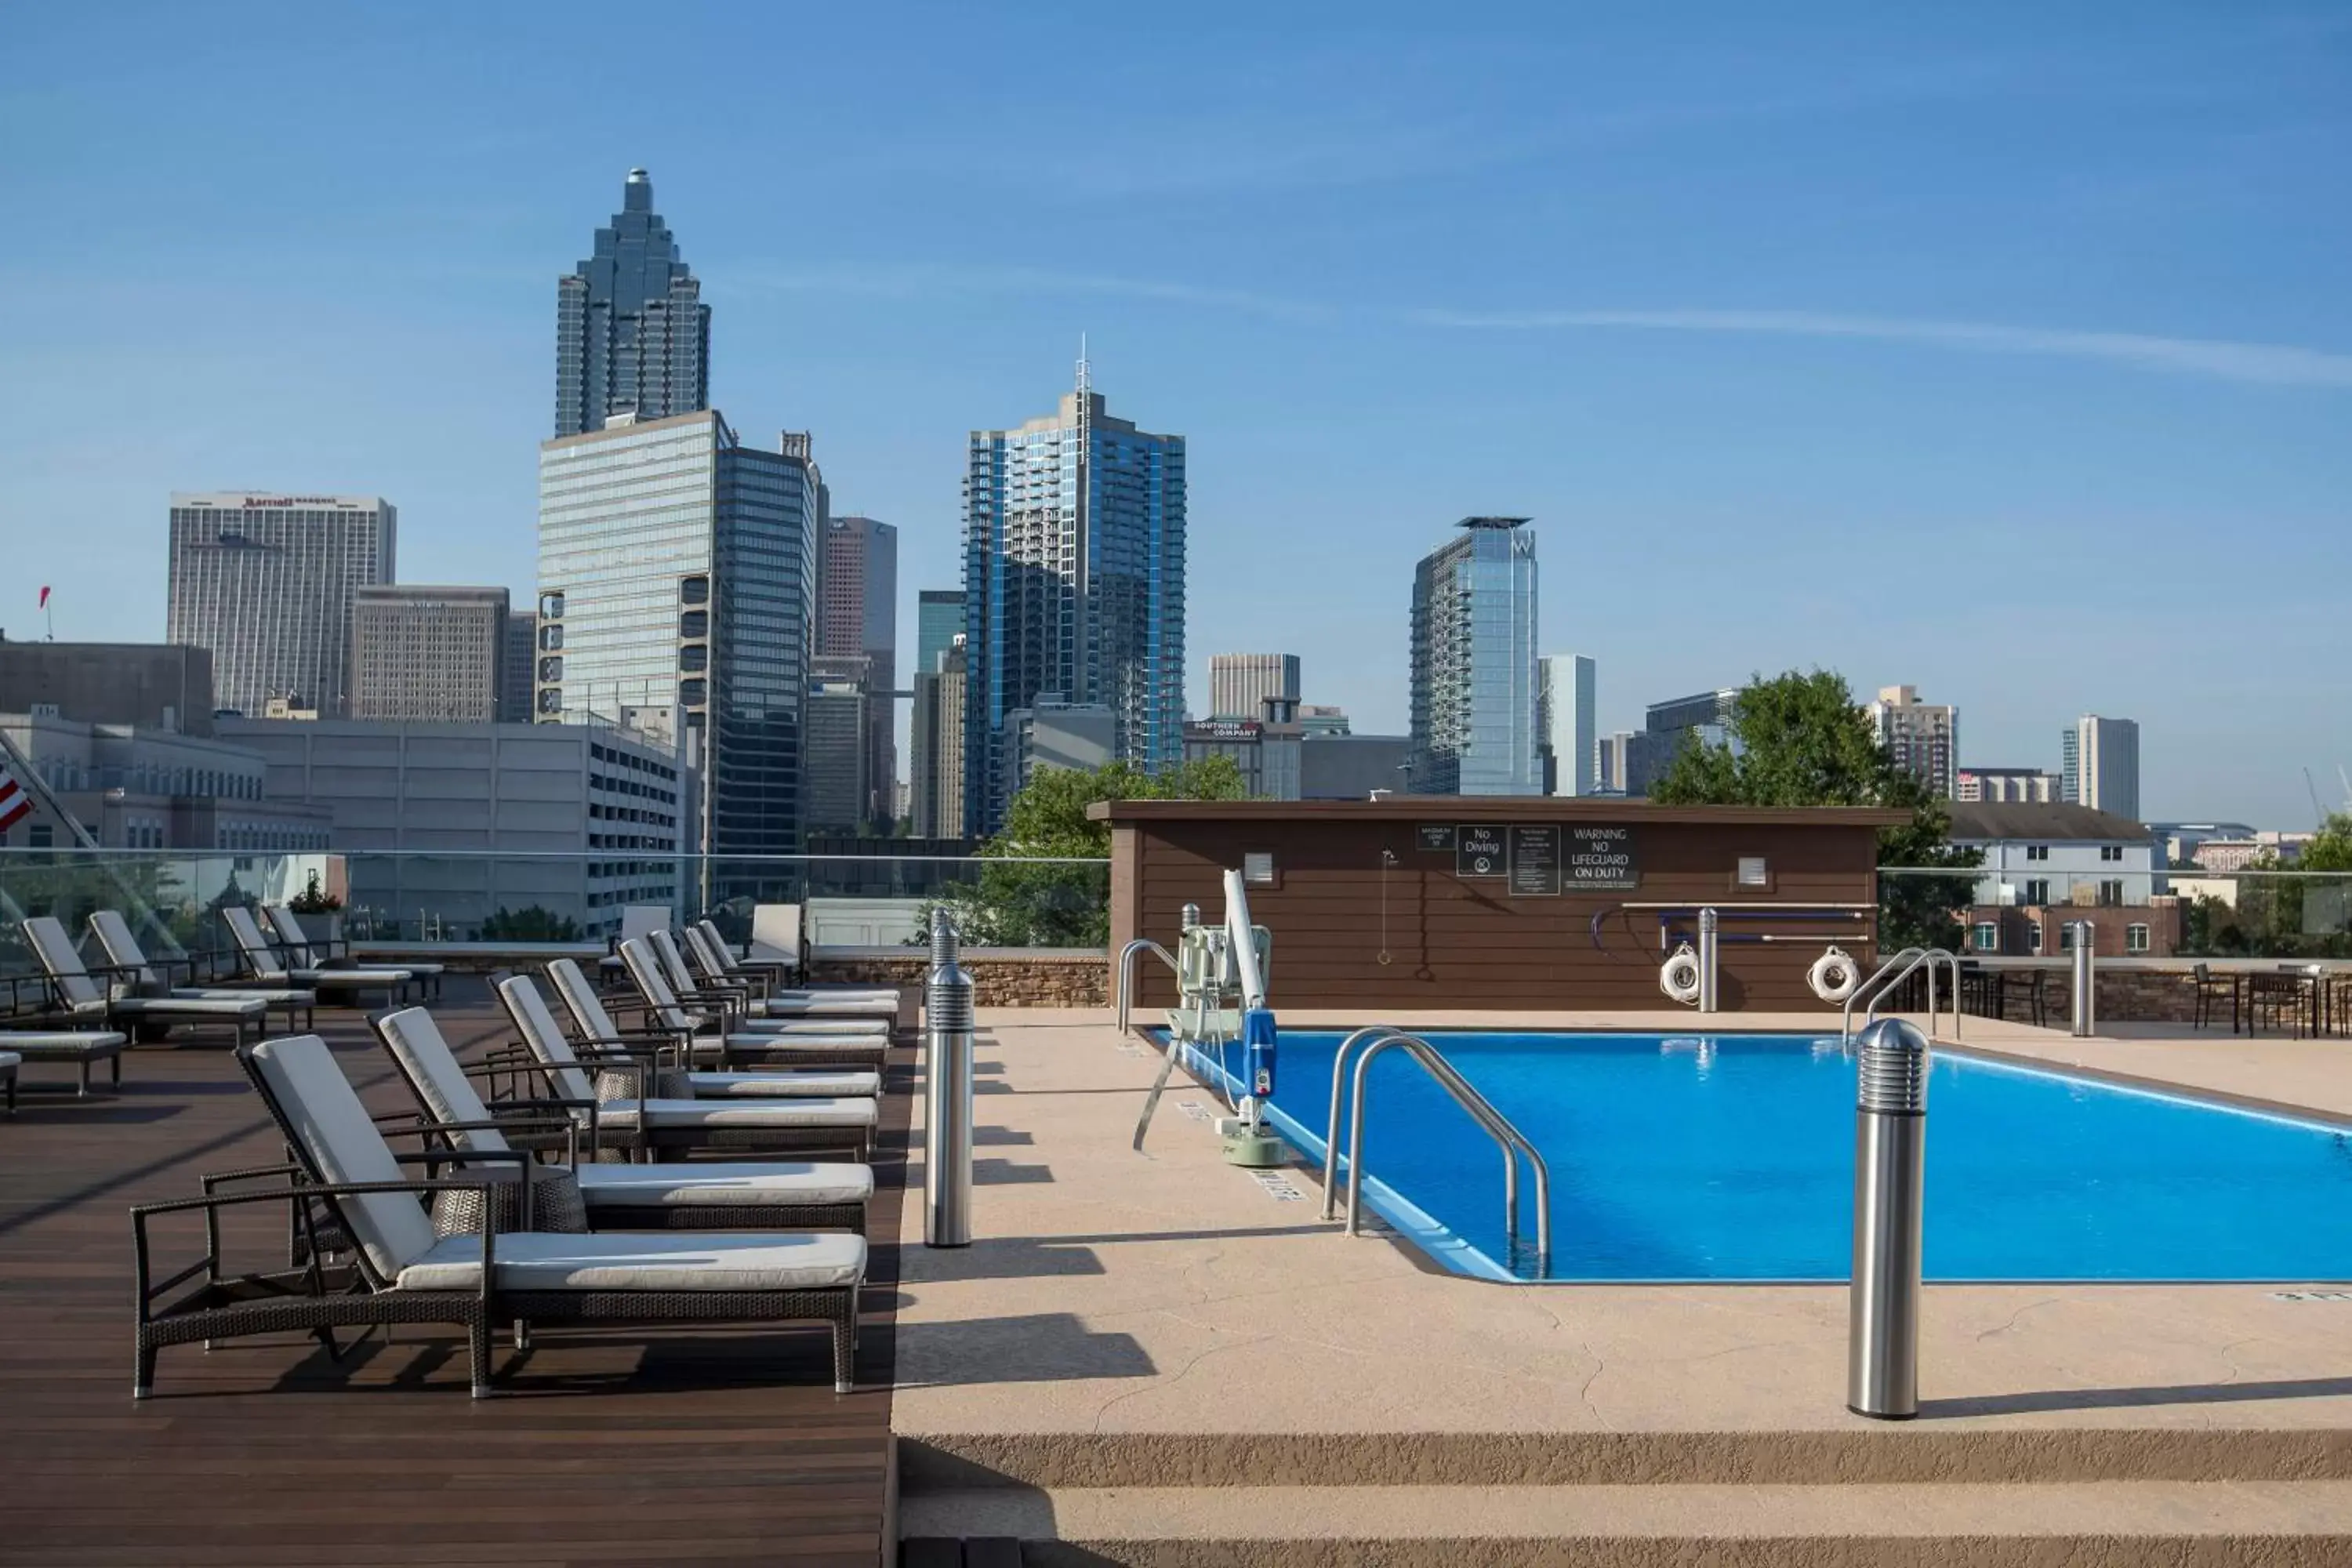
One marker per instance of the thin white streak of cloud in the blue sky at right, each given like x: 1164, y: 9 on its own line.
x: 2257, y: 363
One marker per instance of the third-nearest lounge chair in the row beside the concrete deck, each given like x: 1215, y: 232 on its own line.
x: 632, y: 1115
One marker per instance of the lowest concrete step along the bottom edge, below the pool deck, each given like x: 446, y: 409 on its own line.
x: 2146, y: 1525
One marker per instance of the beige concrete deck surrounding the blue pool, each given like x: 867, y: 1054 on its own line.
x: 1172, y: 1322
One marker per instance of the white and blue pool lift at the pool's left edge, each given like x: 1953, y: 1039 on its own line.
x: 1222, y: 1000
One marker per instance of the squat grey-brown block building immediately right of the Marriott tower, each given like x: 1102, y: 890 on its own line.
x: 434, y: 655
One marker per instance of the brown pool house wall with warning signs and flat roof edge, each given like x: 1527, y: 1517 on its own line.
x: 1469, y: 942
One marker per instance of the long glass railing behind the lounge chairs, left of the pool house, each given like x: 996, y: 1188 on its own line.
x: 577, y: 899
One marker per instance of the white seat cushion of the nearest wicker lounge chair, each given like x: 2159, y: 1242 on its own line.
x: 617, y: 1261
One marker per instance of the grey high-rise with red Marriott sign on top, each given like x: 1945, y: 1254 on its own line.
x: 267, y: 584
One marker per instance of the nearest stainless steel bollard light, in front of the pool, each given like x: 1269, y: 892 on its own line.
x: 1890, y: 1188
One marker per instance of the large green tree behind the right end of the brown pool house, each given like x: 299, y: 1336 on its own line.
x: 1800, y: 739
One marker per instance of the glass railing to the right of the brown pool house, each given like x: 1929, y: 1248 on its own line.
x: 2029, y: 913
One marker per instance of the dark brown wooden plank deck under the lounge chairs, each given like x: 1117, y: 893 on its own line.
x: 660, y: 1447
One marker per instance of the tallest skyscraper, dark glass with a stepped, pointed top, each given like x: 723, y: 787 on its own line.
x: 632, y: 326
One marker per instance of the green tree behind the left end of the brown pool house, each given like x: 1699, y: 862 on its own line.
x: 1022, y: 904
